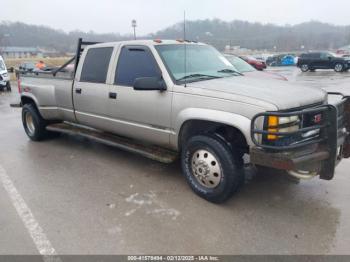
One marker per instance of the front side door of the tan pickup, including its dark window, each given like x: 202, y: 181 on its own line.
x: 143, y: 115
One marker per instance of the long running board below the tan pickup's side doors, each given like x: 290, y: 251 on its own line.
x: 149, y: 151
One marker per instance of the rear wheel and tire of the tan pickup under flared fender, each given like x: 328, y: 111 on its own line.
x: 33, y: 123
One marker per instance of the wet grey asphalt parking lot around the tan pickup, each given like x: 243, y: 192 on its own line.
x: 81, y: 197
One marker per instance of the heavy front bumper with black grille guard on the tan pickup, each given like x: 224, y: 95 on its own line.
x: 320, y: 154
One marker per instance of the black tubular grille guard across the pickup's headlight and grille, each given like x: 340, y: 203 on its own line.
x: 334, y: 124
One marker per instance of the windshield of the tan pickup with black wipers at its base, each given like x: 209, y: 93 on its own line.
x: 202, y: 62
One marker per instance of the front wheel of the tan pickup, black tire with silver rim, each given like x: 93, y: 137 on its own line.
x: 212, y: 170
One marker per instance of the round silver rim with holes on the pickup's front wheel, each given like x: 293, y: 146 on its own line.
x: 206, y: 168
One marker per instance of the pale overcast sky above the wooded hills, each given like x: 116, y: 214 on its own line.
x: 115, y: 15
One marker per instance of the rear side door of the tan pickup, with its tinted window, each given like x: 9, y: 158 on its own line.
x: 90, y: 91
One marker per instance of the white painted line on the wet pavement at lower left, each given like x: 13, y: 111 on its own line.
x: 36, y: 232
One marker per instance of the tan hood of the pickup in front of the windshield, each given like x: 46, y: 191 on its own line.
x: 282, y: 94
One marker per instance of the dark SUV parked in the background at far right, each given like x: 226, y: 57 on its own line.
x: 323, y: 60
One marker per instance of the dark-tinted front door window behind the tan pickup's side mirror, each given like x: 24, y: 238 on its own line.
x: 135, y: 62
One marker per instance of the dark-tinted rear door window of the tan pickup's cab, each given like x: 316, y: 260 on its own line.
x: 96, y: 64
